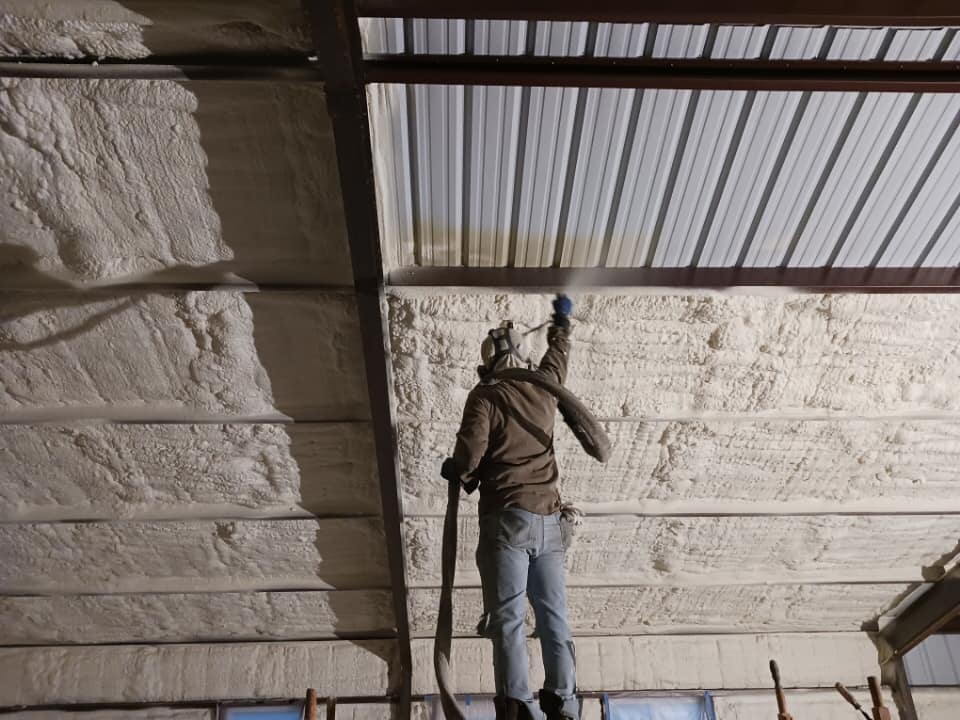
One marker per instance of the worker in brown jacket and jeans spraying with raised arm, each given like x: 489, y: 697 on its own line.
x: 505, y: 446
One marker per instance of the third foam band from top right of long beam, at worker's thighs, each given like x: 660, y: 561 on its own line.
x: 703, y: 550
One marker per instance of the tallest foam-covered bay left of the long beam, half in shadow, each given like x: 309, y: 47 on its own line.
x: 153, y: 181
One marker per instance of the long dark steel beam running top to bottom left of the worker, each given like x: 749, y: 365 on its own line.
x: 336, y: 38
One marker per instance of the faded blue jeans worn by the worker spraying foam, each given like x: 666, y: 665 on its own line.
x: 520, y: 555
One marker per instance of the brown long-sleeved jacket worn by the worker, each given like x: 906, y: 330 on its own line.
x: 506, y: 437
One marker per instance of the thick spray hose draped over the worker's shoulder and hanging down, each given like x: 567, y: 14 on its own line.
x: 595, y: 442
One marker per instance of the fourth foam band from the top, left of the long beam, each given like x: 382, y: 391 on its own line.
x: 185, y: 471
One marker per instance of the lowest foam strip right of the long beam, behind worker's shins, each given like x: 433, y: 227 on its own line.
x: 672, y: 663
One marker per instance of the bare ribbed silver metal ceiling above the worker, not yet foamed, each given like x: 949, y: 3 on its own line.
x: 569, y: 177
